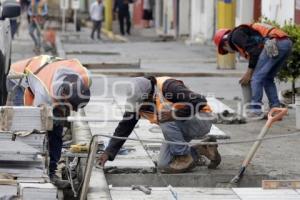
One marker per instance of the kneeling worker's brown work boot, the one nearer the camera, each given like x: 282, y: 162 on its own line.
x: 180, y: 164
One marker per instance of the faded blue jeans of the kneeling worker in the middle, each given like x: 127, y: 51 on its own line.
x: 181, y: 131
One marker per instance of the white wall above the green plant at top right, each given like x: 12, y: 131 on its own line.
x: 279, y: 10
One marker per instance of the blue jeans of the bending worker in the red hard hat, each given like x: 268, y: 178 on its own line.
x: 264, y: 74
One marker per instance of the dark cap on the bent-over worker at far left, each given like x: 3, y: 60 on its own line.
x: 76, y: 93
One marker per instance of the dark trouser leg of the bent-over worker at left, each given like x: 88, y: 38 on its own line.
x: 55, y: 147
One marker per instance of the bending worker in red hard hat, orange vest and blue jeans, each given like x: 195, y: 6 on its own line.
x: 267, y: 48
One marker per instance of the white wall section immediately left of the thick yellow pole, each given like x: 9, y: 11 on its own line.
x: 202, y: 20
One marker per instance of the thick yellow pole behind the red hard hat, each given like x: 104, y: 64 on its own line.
x: 226, y: 11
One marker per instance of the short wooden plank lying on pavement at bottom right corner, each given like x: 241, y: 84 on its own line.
x: 281, y: 184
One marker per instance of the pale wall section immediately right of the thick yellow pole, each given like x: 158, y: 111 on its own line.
x: 244, y: 11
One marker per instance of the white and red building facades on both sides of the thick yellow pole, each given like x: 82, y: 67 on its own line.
x: 197, y: 18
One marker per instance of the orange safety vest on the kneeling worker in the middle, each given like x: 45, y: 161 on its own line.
x: 163, y: 104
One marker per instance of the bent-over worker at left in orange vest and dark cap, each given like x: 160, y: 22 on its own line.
x: 62, y: 84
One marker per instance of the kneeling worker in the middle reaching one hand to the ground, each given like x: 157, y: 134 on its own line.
x: 182, y: 115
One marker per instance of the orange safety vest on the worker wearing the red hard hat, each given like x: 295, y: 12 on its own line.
x: 265, y: 30
